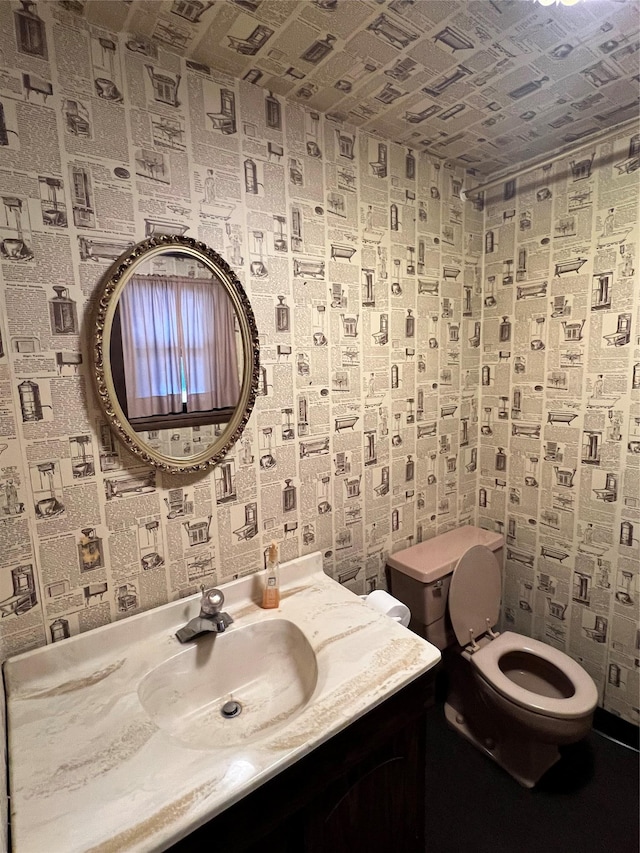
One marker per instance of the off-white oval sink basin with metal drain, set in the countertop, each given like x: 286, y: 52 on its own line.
x: 230, y: 688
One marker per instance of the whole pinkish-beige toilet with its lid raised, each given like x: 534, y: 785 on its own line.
x: 515, y: 698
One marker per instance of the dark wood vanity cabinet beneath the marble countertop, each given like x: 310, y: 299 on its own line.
x: 364, y: 790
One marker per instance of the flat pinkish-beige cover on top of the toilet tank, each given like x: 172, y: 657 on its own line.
x: 431, y: 560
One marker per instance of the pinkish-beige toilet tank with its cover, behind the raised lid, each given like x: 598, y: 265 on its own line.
x: 420, y: 577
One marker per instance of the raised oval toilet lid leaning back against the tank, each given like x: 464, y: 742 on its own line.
x: 474, y: 594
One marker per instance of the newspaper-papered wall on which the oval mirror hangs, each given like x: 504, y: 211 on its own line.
x: 354, y: 253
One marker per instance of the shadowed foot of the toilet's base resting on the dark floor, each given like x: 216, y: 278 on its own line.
x: 525, y: 759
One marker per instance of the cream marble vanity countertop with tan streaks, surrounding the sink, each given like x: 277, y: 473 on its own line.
x: 88, y: 765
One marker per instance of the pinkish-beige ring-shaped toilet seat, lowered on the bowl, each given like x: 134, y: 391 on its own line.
x: 487, y: 664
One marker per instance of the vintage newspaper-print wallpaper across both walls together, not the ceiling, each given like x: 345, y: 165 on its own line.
x: 426, y: 361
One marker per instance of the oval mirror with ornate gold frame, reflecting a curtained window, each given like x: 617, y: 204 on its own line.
x: 175, y: 353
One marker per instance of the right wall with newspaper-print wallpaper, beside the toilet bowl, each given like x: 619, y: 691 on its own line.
x: 560, y: 411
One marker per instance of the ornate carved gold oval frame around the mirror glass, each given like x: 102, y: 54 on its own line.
x: 121, y: 272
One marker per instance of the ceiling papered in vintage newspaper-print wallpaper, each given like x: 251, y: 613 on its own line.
x: 487, y: 82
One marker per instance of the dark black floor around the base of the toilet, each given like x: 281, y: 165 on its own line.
x: 587, y: 803
